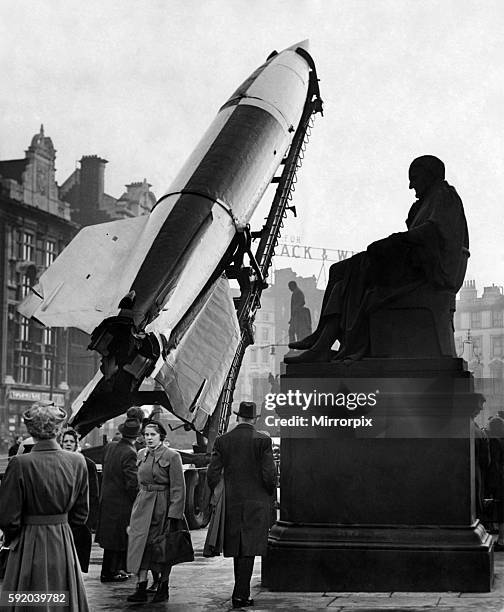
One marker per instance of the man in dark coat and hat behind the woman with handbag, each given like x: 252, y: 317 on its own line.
x: 118, y: 492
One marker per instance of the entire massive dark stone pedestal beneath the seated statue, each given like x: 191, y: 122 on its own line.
x: 382, y: 507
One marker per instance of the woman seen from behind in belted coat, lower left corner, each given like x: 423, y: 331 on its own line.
x: 42, y: 494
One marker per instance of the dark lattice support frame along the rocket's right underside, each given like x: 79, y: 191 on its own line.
x: 249, y: 301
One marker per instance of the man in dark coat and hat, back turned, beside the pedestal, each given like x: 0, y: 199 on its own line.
x: 245, y: 457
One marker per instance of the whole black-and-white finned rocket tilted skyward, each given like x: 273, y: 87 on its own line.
x: 130, y: 283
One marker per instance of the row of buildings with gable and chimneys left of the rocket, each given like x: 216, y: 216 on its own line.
x: 38, y: 219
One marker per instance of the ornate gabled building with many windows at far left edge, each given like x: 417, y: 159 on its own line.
x: 35, y: 225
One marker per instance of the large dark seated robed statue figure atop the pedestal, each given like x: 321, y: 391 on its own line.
x: 431, y: 255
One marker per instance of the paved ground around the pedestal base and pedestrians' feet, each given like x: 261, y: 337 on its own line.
x: 206, y: 585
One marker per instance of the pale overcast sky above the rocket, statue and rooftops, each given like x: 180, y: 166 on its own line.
x: 138, y: 82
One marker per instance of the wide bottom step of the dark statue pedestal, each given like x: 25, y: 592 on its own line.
x: 377, y: 559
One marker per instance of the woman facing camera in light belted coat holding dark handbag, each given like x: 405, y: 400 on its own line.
x: 158, y: 506
